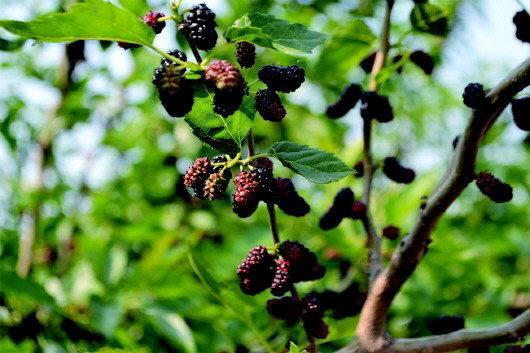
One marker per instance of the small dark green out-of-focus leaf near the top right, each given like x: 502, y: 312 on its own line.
x: 430, y: 19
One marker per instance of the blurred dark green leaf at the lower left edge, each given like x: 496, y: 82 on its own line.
x: 11, y: 283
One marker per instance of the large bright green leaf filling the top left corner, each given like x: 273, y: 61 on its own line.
x: 93, y: 19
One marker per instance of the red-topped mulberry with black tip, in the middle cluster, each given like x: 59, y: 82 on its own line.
x: 246, y: 197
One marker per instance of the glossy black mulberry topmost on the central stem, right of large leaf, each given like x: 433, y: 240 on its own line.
x: 199, y: 27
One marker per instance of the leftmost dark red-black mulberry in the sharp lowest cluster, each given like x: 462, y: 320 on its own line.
x: 256, y: 271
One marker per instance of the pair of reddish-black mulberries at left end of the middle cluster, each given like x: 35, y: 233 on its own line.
x: 208, y: 181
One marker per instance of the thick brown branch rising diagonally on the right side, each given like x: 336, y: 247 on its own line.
x: 371, y: 328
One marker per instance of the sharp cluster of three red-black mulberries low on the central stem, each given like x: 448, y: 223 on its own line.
x: 293, y: 263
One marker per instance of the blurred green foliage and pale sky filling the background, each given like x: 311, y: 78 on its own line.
x: 125, y: 258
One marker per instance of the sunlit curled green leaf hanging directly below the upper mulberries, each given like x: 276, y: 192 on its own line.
x: 226, y: 135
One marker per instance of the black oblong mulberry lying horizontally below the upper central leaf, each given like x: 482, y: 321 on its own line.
x: 282, y: 78
